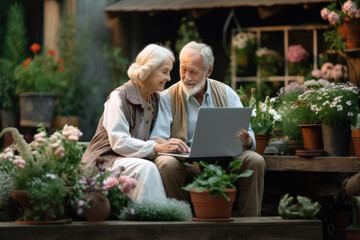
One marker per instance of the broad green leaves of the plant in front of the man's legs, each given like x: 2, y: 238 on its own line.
x: 216, y: 179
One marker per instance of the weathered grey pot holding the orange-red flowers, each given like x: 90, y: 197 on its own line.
x: 36, y: 108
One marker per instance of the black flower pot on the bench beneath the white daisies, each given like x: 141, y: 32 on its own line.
x: 336, y: 140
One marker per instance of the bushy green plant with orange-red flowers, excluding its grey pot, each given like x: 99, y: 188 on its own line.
x: 42, y: 73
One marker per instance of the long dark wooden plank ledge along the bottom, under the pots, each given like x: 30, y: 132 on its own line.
x: 269, y: 228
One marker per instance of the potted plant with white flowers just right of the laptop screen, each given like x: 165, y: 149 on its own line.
x: 263, y: 118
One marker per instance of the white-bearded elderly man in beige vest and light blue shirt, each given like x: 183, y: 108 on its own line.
x: 178, y: 108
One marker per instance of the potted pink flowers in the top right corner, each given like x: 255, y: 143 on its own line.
x: 344, y: 17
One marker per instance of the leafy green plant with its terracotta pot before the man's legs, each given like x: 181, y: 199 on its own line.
x: 213, y: 191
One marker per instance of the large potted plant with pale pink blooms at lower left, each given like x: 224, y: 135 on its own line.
x: 45, y: 169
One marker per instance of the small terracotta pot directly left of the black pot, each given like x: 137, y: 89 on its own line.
x: 312, y: 136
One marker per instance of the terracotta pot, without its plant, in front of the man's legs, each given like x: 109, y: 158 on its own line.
x: 212, y: 208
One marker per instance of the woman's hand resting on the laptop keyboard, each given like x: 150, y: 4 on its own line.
x: 173, y: 145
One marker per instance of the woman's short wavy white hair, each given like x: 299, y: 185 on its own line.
x: 147, y: 60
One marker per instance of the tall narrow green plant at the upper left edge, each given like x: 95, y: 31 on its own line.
x: 14, y: 53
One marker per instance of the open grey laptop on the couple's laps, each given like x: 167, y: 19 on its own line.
x: 215, y: 133
